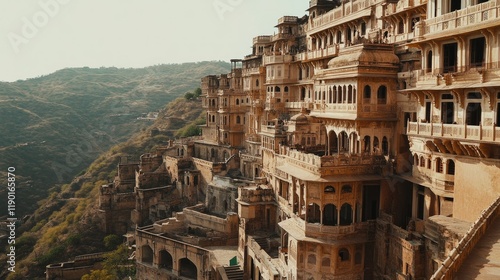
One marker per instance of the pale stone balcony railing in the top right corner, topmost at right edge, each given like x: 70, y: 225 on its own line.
x: 464, y: 18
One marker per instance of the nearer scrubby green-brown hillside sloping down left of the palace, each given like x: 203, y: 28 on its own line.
x: 66, y: 224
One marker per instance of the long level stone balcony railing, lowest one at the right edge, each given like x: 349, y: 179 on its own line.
x: 455, y: 131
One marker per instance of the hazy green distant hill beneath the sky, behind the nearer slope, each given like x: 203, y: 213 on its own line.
x: 54, y: 126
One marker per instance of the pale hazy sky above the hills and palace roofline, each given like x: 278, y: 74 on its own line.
x: 38, y: 37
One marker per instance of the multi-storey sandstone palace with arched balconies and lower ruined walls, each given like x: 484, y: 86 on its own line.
x: 360, y: 141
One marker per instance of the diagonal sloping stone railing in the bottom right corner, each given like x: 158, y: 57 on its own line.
x: 451, y: 265
